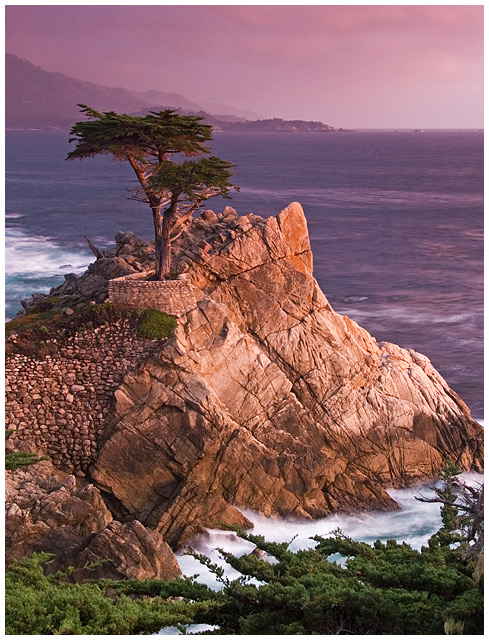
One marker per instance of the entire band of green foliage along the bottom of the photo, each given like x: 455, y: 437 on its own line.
x: 384, y: 589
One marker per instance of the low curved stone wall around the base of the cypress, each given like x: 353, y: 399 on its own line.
x: 174, y: 297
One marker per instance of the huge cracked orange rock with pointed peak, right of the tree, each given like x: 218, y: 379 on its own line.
x: 267, y: 399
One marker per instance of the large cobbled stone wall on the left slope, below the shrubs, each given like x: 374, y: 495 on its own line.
x: 60, y: 405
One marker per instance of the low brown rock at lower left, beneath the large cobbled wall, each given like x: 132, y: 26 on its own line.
x: 50, y: 511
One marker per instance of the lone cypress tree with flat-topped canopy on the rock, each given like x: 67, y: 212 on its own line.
x: 150, y: 144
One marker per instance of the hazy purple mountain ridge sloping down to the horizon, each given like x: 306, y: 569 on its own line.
x: 40, y: 99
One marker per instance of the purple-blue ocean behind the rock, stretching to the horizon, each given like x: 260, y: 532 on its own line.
x: 395, y: 219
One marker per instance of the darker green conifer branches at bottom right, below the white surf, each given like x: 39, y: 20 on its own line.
x: 388, y: 589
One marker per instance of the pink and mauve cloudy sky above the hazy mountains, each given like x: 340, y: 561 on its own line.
x: 349, y: 66
